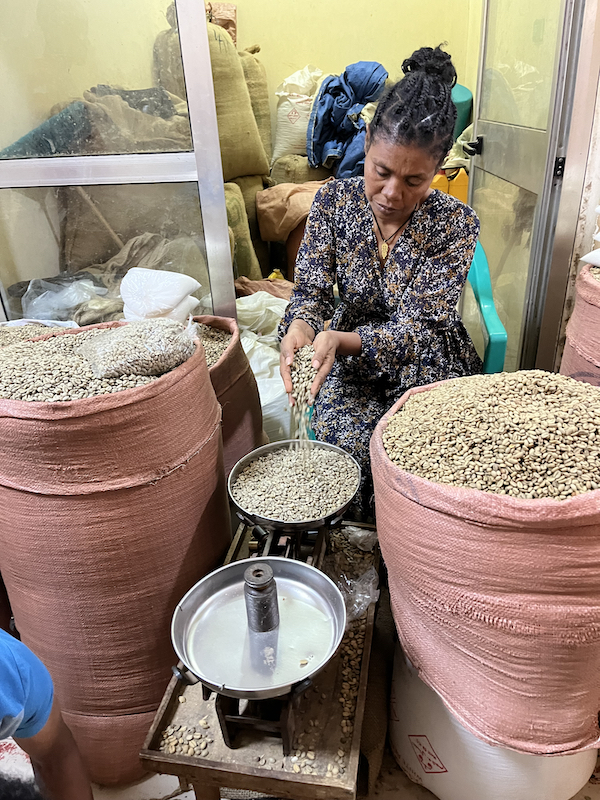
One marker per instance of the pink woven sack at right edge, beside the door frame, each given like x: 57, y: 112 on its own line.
x: 581, y: 356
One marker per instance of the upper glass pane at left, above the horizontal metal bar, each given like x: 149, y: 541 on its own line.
x: 90, y: 78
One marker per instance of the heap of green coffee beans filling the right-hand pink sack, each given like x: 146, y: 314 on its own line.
x: 528, y: 434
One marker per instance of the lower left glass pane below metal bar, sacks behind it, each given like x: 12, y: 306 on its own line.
x: 86, y: 238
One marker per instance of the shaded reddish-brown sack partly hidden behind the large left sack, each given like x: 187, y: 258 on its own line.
x: 237, y: 392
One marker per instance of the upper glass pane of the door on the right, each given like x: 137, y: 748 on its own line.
x: 521, y: 40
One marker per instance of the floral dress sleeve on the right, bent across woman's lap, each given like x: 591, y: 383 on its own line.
x: 427, y: 307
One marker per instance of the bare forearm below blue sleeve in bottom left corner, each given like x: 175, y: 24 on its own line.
x: 57, y: 763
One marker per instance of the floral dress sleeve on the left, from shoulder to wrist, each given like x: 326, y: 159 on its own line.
x: 312, y: 298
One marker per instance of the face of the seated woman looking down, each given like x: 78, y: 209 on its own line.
x: 397, y: 178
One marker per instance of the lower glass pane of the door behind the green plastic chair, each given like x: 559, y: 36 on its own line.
x: 507, y: 214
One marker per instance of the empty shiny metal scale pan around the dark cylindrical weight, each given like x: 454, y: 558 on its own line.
x: 211, y: 637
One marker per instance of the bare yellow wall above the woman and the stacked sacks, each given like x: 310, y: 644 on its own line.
x: 330, y: 34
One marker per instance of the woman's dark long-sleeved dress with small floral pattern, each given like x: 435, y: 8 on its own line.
x: 405, y: 312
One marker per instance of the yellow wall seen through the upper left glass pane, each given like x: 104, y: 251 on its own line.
x: 52, y: 50
